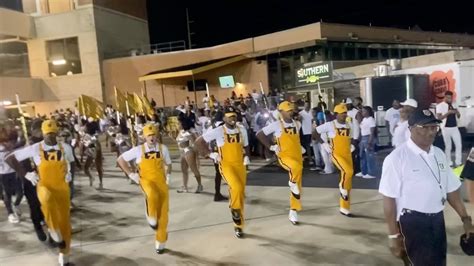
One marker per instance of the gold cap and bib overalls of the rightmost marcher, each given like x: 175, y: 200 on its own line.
x: 342, y: 159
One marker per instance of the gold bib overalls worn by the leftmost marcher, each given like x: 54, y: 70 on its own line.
x: 53, y: 194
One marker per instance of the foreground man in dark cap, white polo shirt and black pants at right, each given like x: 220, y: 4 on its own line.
x: 416, y: 183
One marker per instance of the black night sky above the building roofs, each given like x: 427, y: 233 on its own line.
x: 234, y: 20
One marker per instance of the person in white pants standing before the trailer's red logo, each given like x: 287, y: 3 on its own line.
x: 448, y: 114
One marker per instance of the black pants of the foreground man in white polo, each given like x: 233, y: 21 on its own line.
x: 425, y: 238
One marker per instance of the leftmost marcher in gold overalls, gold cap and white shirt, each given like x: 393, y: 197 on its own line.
x: 51, y: 179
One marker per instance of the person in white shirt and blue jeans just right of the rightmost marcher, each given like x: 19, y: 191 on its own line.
x: 367, y: 144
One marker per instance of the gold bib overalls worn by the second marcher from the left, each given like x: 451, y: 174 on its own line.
x: 153, y: 184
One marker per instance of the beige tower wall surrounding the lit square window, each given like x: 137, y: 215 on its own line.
x: 64, y: 90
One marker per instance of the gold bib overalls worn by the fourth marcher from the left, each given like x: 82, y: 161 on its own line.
x: 291, y: 159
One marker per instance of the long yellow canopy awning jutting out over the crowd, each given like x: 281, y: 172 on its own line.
x: 190, y: 70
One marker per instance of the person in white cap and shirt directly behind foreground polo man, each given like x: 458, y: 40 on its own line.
x: 401, y: 132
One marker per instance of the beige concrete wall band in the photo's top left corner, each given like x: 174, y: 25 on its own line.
x: 15, y: 23
